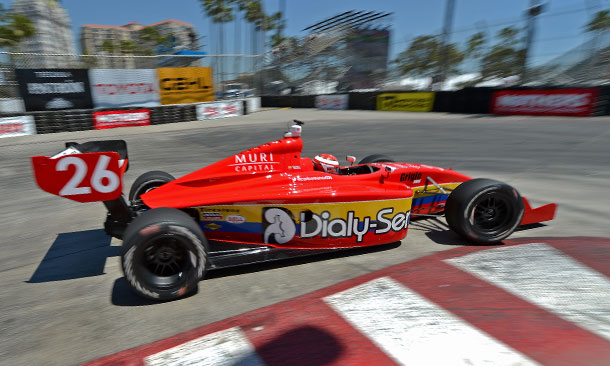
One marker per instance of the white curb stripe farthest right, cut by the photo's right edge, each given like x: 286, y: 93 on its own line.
x: 548, y: 278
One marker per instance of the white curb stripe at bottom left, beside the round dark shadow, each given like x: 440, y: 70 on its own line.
x: 224, y: 348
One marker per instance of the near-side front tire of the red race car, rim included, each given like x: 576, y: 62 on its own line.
x: 484, y: 211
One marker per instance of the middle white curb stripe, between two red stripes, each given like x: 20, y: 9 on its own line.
x: 414, y: 331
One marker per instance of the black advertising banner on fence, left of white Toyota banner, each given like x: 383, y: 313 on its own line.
x: 54, y: 89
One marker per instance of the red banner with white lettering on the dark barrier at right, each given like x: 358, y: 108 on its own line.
x: 566, y: 102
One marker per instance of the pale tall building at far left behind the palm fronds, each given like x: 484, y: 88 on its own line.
x: 53, y: 34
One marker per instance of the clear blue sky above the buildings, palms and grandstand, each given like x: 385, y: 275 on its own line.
x: 559, y: 28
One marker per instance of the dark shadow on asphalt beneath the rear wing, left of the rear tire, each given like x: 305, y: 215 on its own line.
x: 75, y: 255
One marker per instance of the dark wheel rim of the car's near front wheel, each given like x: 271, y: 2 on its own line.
x: 492, y: 214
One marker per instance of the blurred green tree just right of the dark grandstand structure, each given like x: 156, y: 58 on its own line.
x: 423, y: 57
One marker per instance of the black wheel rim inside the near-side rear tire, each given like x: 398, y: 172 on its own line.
x: 165, y: 261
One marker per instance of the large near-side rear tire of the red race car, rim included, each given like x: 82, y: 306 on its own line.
x: 164, y: 254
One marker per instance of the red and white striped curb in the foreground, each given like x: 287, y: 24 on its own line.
x: 523, y: 303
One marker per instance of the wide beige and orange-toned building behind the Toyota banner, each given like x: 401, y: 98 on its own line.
x: 108, y: 40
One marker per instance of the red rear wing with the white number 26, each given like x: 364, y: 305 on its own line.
x: 88, y: 172
